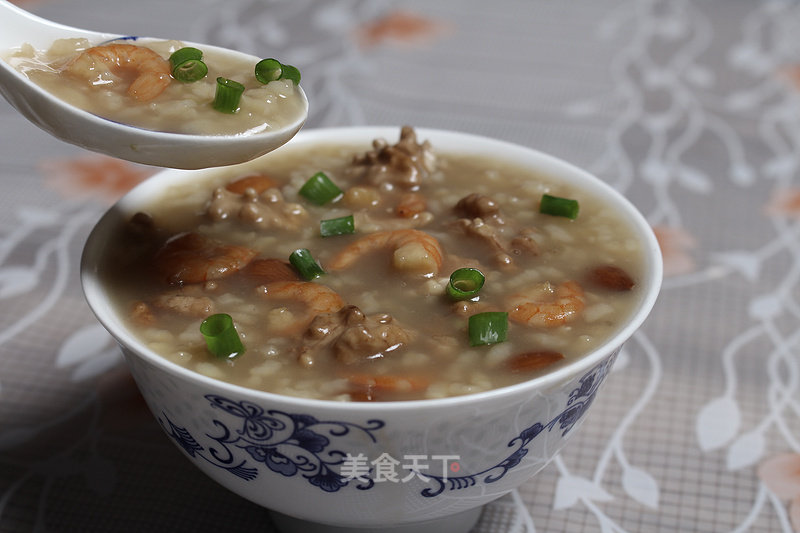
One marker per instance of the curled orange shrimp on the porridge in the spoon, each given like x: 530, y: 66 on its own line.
x: 102, y: 64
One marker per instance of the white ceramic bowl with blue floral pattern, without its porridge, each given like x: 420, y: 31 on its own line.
x: 298, y: 457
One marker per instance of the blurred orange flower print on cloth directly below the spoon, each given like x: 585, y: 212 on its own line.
x: 96, y: 176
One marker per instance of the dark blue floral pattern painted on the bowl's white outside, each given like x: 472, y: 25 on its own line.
x: 300, y: 444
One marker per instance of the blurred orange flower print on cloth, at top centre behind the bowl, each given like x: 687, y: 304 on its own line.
x: 401, y: 27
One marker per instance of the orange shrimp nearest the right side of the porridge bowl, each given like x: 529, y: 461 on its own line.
x: 547, y: 306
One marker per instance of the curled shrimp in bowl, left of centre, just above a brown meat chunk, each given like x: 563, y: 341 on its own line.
x: 316, y: 299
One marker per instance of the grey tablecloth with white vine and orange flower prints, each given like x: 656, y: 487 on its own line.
x: 690, y: 108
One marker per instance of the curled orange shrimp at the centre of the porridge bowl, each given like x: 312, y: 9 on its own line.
x: 414, y: 251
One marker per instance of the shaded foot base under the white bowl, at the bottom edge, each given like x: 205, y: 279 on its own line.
x: 458, y: 523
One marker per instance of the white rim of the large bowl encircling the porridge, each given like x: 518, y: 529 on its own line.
x: 452, y: 140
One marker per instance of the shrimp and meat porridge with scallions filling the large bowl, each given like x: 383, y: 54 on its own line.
x: 375, y: 273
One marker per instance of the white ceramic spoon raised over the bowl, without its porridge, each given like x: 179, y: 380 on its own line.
x: 89, y: 131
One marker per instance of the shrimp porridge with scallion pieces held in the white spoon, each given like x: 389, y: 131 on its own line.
x: 167, y: 86
